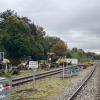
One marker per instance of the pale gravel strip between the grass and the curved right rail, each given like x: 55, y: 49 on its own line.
x: 74, y: 83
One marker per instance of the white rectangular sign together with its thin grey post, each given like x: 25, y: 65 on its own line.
x: 33, y: 65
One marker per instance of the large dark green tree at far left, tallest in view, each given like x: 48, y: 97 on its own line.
x: 15, y: 36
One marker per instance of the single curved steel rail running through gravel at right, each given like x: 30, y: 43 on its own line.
x: 76, y: 92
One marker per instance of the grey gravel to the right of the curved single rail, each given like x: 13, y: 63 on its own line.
x: 89, y: 91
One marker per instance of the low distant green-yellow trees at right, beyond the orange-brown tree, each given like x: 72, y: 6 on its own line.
x: 81, y: 55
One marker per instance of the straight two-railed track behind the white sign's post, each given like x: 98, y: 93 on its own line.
x: 19, y: 81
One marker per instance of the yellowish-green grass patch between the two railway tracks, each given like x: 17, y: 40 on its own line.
x: 45, y: 89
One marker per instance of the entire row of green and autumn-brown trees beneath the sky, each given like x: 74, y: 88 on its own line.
x: 20, y: 38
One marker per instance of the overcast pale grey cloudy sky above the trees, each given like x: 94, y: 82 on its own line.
x: 77, y: 22
